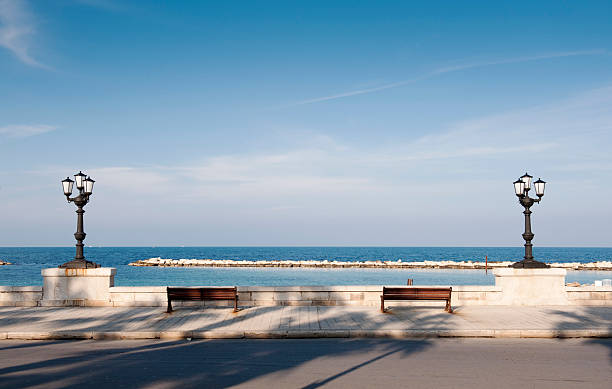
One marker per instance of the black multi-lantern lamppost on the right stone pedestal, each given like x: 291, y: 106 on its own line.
x: 521, y: 188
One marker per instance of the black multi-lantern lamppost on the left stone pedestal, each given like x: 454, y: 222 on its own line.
x: 85, y: 187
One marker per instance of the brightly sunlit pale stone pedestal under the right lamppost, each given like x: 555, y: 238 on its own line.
x: 531, y: 286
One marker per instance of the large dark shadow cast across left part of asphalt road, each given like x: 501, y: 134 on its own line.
x: 183, y: 364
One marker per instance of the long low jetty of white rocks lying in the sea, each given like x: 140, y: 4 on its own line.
x: 399, y: 264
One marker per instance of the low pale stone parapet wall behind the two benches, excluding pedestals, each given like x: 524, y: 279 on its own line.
x: 361, y: 295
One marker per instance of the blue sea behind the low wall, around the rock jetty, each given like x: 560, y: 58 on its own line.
x: 28, y: 262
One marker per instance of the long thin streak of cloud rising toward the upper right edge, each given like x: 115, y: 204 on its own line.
x: 448, y: 69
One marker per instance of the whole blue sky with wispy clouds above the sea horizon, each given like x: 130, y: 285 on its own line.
x: 305, y: 123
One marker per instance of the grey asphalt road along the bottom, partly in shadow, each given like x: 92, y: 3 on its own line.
x: 309, y: 363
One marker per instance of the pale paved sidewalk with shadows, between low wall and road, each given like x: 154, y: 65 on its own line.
x: 303, y: 322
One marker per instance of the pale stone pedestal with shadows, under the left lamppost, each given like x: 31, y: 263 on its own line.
x: 82, y: 287
